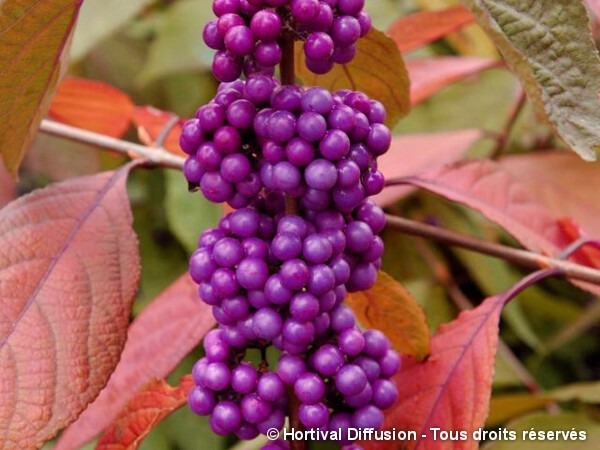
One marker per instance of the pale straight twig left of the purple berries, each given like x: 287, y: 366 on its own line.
x: 155, y: 155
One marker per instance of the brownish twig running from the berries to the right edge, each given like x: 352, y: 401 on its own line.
x: 524, y: 258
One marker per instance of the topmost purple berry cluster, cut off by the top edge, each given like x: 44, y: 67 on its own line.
x: 246, y: 34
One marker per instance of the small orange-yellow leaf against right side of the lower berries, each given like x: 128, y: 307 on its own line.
x: 389, y: 307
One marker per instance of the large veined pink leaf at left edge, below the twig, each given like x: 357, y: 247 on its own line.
x: 69, y: 270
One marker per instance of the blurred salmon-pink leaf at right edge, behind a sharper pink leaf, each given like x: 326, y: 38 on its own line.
x: 562, y: 182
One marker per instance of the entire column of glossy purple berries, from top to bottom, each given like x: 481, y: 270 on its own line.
x: 297, y: 165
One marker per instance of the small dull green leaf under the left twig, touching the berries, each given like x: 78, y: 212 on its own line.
x: 188, y: 214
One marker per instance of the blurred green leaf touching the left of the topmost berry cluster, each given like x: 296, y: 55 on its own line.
x: 178, y: 46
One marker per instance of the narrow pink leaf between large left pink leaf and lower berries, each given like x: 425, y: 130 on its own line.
x: 160, y: 337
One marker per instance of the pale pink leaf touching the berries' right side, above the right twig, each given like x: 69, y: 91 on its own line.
x: 413, y: 154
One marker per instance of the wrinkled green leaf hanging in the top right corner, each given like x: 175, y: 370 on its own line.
x: 549, y: 46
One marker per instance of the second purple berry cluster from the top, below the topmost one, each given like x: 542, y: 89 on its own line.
x: 319, y: 147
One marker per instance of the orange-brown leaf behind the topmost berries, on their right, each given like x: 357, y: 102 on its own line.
x: 377, y: 70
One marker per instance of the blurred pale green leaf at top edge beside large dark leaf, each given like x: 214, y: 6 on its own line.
x: 101, y: 18
